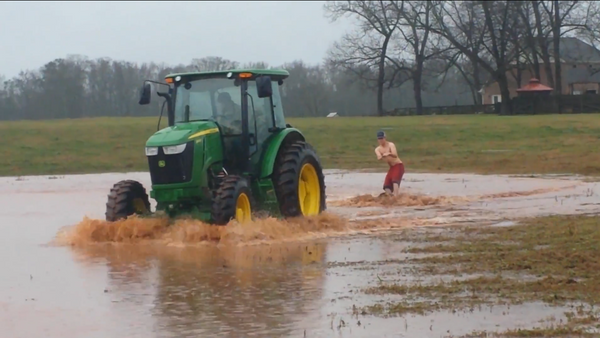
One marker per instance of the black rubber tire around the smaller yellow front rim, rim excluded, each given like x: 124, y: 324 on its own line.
x: 224, y: 204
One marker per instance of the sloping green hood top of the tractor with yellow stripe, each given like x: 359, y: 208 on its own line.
x: 181, y: 133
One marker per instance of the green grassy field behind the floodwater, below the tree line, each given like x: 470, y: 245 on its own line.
x: 479, y: 144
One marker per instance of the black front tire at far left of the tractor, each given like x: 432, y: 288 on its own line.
x: 123, y: 198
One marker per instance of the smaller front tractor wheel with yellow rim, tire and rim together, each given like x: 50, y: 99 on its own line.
x: 233, y: 200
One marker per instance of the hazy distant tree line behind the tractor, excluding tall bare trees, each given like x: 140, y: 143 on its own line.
x: 76, y: 87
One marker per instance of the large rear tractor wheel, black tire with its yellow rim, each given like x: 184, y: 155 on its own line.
x: 299, y: 181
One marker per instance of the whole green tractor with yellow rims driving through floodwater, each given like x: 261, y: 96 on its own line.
x: 226, y: 154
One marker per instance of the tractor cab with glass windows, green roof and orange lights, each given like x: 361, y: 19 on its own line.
x: 245, y: 106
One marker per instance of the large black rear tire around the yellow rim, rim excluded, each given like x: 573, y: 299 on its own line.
x: 286, y: 174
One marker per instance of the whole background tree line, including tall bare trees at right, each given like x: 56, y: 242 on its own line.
x: 399, y: 54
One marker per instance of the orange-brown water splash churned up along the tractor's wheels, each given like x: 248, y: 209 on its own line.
x: 183, y: 232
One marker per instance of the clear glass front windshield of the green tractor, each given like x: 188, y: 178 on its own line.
x: 210, y: 99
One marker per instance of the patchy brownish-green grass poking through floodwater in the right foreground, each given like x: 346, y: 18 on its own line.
x: 550, y: 259
